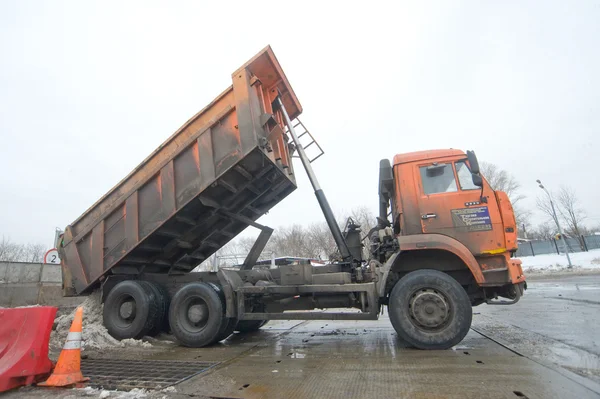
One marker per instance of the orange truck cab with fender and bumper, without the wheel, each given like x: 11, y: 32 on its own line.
x: 446, y: 216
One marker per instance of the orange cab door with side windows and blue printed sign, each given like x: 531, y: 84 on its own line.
x: 450, y: 204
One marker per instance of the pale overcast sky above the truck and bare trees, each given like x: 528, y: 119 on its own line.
x: 88, y: 90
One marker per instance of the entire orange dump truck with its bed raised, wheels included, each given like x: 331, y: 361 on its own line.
x: 443, y: 241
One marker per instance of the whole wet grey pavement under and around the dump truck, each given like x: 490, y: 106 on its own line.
x: 546, y: 346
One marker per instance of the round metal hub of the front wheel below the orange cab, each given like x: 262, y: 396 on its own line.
x: 429, y: 308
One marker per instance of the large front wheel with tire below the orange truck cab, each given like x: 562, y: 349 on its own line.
x: 430, y: 310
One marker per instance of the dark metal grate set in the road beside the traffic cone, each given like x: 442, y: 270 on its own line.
x: 125, y: 375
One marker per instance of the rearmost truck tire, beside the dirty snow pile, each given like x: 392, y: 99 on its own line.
x: 130, y: 310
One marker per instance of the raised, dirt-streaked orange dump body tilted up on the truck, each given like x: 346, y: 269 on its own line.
x: 223, y: 169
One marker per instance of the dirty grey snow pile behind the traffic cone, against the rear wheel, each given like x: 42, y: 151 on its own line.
x: 94, y: 334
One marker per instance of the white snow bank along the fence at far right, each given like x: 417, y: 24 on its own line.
x: 552, y: 263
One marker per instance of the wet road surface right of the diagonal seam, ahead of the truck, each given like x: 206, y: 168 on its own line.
x: 557, y: 323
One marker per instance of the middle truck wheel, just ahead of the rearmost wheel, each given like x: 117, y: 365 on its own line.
x: 196, y: 315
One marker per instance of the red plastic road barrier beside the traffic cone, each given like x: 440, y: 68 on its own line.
x: 24, y: 338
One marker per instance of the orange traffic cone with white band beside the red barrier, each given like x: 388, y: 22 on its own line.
x: 68, y: 367
